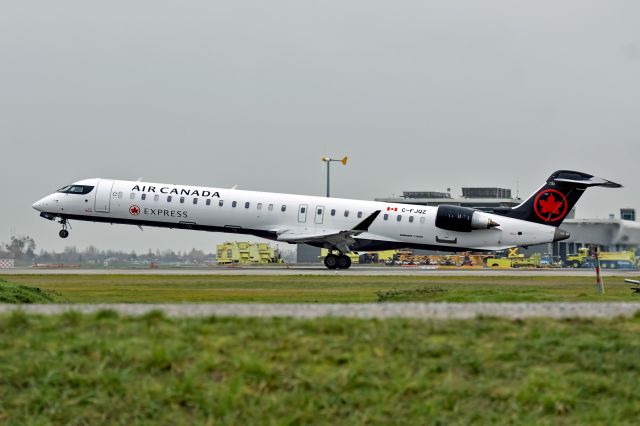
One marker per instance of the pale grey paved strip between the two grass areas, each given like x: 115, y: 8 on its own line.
x: 556, y: 310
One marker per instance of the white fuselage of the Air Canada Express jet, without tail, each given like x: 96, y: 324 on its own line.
x: 279, y: 216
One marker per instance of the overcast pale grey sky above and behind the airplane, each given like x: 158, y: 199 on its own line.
x: 422, y: 95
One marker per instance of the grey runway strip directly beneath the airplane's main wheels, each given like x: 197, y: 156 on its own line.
x: 319, y: 270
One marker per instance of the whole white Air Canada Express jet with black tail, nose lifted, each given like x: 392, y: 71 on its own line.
x: 340, y: 225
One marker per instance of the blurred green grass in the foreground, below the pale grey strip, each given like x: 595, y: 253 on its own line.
x: 101, y: 369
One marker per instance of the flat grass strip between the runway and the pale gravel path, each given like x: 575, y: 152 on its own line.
x: 322, y: 288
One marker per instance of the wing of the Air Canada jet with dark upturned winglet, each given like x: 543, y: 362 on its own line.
x: 340, y: 239
